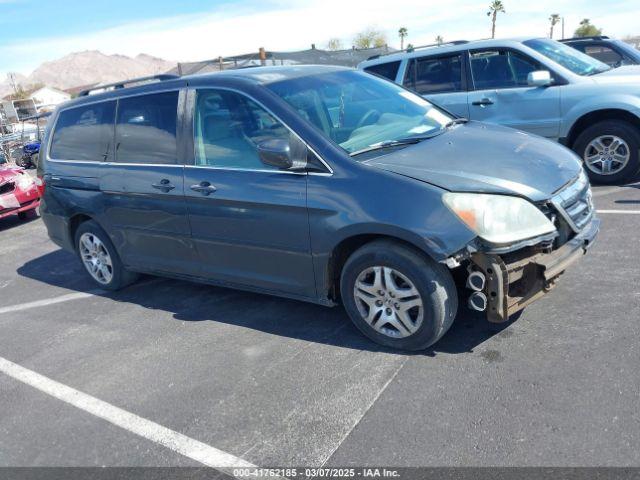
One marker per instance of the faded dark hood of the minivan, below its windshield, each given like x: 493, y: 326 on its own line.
x: 482, y: 158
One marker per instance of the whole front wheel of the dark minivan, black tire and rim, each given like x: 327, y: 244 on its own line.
x: 397, y: 296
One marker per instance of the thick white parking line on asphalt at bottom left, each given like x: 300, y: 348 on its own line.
x: 198, y: 451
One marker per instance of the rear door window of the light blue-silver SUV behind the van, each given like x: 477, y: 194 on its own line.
x: 435, y: 75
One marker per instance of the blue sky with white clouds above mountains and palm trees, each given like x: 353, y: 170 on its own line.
x: 198, y: 29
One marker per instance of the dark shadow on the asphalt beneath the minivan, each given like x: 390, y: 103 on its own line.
x: 193, y: 302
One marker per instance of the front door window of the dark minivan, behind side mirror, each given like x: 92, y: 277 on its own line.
x: 228, y: 129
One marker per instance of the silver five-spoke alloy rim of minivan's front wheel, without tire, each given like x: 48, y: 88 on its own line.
x: 388, y: 301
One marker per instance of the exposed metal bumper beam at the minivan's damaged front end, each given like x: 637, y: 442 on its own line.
x: 515, y: 281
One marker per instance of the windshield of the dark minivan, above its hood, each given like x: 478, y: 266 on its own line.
x: 359, y: 111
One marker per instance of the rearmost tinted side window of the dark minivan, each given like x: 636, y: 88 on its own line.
x: 84, y: 133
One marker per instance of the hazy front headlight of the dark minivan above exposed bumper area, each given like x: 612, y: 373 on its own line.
x: 499, y: 219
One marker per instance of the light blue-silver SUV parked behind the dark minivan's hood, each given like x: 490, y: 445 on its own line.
x: 537, y: 85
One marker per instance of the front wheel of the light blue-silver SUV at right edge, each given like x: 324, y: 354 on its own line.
x: 609, y: 150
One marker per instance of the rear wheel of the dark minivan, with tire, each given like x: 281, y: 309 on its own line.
x: 100, y: 259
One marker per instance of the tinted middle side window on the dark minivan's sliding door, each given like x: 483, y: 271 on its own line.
x: 146, y: 129
